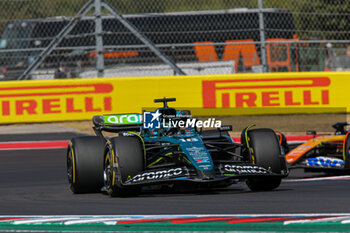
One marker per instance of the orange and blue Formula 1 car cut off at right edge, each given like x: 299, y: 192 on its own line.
x: 330, y: 153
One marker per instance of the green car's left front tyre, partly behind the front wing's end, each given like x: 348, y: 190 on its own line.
x: 124, y: 158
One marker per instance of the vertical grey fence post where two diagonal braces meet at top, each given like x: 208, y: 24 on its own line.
x: 99, y: 40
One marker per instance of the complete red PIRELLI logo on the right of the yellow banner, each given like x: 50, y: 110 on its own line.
x: 270, y: 92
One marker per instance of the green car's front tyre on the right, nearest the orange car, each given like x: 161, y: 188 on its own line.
x: 266, y: 153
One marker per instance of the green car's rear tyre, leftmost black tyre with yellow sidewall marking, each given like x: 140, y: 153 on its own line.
x: 85, y: 164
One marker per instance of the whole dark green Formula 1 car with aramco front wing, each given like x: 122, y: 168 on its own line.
x: 167, y: 148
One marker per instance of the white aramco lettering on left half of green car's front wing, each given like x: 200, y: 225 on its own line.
x: 156, y: 175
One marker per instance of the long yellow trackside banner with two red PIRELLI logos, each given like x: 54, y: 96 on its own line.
x: 210, y: 95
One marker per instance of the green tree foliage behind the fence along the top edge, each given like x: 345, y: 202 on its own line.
x: 314, y: 19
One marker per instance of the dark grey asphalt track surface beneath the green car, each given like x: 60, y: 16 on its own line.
x: 34, y: 182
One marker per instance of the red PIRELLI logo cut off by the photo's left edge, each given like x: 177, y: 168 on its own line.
x: 46, y: 100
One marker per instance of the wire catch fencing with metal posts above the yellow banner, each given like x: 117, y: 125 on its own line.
x: 46, y: 39
